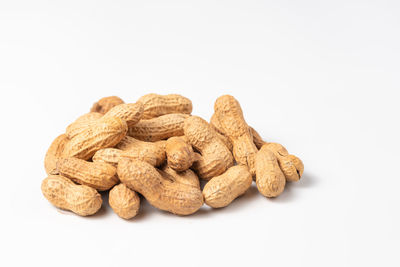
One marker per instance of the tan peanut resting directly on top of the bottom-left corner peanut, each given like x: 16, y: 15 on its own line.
x: 98, y: 175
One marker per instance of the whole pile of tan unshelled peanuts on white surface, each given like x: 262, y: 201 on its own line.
x: 155, y: 148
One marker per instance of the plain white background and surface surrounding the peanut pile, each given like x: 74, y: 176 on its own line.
x: 320, y: 77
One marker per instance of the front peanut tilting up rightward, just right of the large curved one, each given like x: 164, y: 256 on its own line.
x: 220, y: 191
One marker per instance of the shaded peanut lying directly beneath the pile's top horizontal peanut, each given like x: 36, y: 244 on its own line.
x: 158, y: 128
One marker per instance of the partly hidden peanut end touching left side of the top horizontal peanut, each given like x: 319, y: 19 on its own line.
x: 131, y: 113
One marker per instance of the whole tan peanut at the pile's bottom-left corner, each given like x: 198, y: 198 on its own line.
x: 64, y: 194
